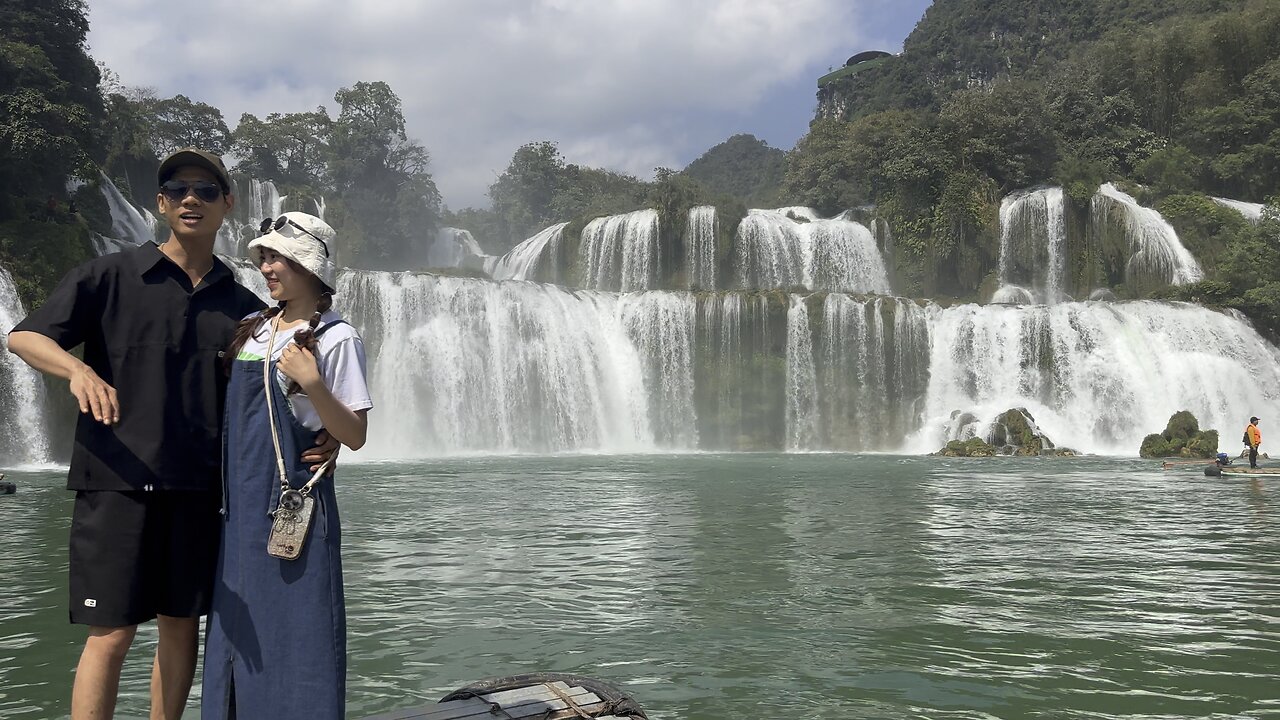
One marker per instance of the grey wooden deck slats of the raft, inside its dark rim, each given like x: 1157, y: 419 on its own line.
x: 550, y: 701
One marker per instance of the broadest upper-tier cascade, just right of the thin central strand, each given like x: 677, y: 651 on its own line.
x: 776, y: 252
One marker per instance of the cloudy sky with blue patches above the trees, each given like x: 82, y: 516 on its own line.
x: 627, y: 85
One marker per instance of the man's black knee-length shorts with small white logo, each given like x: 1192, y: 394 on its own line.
x: 136, y: 555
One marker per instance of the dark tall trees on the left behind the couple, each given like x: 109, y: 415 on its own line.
x: 66, y: 122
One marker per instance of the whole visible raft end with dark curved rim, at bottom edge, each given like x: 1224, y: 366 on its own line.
x: 538, y: 696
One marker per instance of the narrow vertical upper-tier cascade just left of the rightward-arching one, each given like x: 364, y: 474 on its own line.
x: 1032, y: 247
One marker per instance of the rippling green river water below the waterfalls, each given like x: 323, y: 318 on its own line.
x: 762, y: 586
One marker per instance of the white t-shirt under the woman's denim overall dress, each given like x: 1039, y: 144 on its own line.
x: 342, y: 366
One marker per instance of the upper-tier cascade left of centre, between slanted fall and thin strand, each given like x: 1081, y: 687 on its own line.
x: 621, y: 252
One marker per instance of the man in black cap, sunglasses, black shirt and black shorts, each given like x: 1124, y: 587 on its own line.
x: 147, y: 466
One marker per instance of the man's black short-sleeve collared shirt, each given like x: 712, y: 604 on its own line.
x: 159, y: 343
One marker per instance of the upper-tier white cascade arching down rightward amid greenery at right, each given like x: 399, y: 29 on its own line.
x: 1155, y: 253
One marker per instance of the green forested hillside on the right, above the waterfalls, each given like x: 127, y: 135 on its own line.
x: 1183, y: 97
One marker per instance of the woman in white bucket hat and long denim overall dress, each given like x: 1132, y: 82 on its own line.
x: 277, y: 637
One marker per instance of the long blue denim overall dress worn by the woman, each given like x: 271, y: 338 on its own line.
x: 277, y: 636
